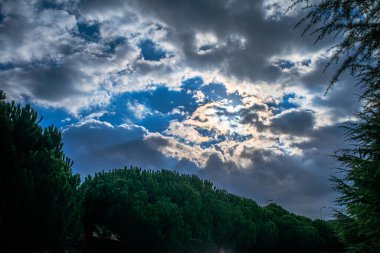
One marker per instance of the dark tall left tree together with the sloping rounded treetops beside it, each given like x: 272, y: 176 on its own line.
x: 43, y: 206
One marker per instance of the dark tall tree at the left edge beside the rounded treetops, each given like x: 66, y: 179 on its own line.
x: 38, y: 192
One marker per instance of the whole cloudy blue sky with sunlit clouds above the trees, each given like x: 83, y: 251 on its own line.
x: 226, y: 89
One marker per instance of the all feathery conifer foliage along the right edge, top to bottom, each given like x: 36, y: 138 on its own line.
x: 356, y: 26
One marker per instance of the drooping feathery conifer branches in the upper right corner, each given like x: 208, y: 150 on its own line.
x: 355, y: 25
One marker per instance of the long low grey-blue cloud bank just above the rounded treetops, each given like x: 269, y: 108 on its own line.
x: 299, y: 183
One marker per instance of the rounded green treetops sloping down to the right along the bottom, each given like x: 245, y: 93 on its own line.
x: 163, y: 211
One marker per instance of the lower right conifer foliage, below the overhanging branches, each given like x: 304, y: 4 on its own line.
x: 359, y: 185
